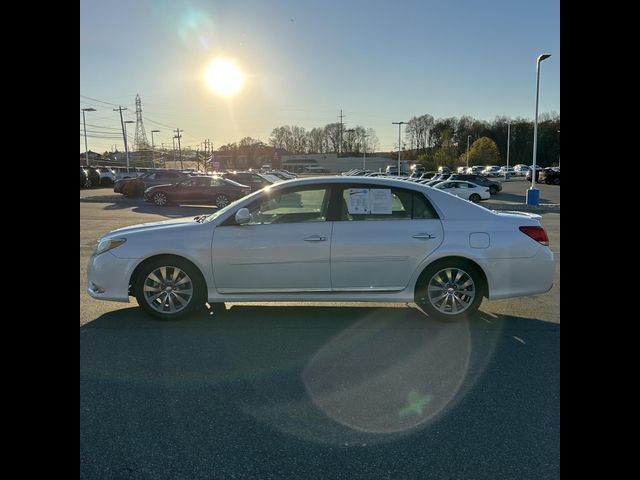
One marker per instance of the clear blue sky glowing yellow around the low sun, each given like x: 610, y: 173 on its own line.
x: 303, y: 61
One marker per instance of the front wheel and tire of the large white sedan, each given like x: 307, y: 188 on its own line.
x: 169, y: 288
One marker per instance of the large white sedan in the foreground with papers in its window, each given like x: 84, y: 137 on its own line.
x: 328, y: 239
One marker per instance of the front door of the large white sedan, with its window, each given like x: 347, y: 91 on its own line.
x: 285, y: 247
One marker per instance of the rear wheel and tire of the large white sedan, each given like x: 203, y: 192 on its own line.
x: 447, y: 283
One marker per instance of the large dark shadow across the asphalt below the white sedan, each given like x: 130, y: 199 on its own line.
x: 318, y: 392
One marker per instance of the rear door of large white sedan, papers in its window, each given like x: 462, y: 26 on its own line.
x: 380, y: 251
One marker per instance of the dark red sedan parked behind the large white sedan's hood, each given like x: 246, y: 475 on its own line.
x: 205, y: 189
